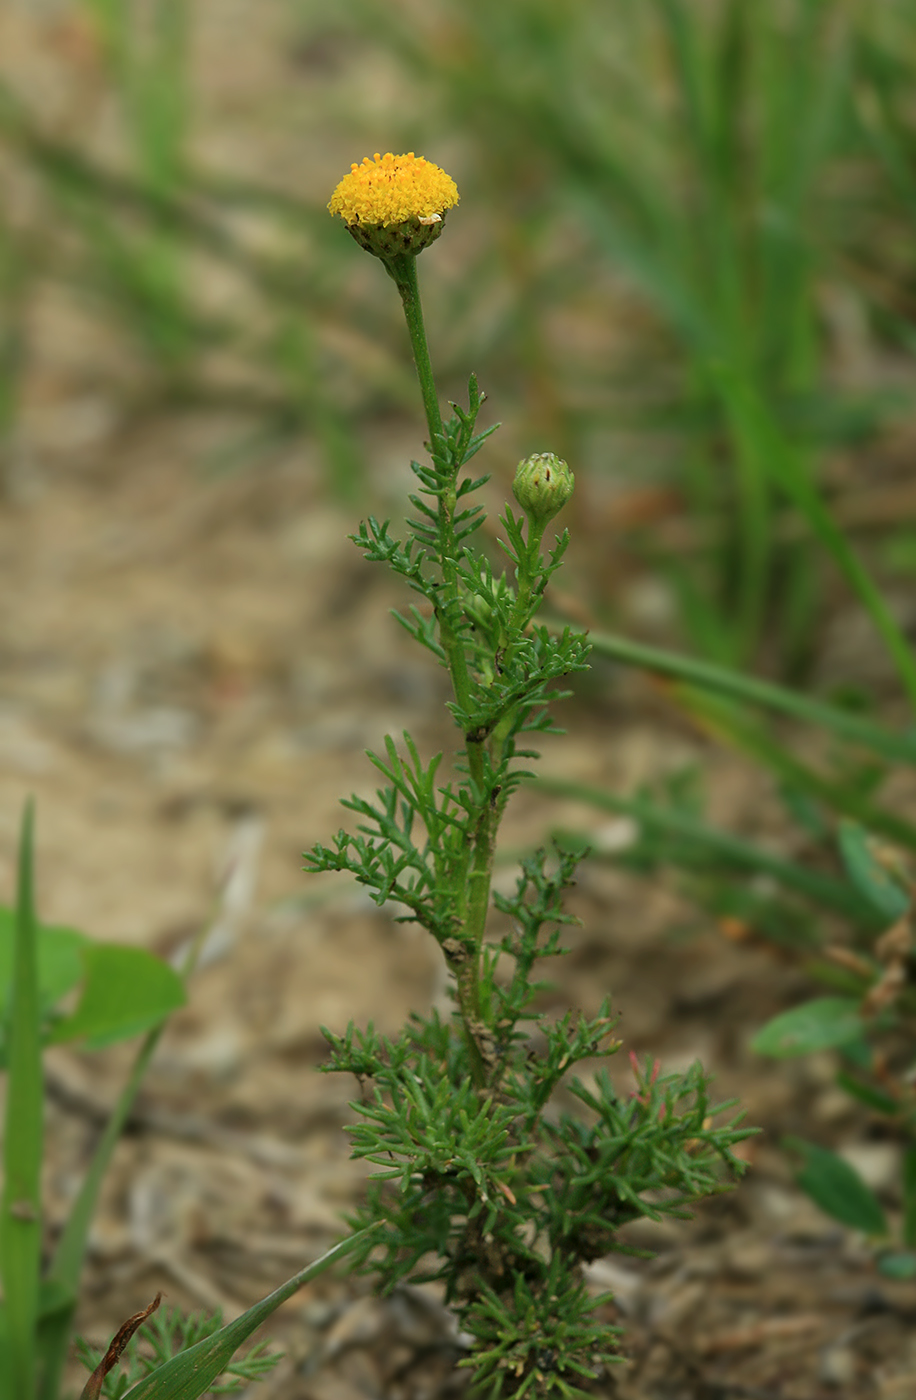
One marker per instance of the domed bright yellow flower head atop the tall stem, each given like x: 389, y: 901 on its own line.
x: 394, y: 204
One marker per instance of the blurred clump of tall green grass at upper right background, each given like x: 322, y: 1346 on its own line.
x: 698, y: 156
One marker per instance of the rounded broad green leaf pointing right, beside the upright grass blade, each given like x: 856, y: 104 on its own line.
x: 127, y: 992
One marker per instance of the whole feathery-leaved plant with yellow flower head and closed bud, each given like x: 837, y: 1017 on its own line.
x: 499, y: 1174
